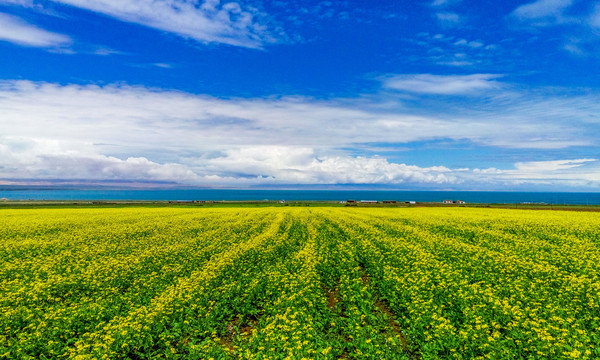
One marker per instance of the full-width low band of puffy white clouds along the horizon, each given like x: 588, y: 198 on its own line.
x: 34, y: 160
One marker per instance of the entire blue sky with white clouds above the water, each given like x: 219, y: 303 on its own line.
x: 439, y: 94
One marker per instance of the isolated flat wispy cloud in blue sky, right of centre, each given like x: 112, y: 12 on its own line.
x: 443, y: 84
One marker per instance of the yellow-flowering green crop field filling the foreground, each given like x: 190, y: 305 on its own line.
x: 298, y: 282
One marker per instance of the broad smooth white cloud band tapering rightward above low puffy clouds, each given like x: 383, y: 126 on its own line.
x: 145, y: 118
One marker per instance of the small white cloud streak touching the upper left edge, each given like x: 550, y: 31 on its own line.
x: 17, y: 31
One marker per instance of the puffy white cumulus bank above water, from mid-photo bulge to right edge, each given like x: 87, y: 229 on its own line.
x: 289, y: 165
